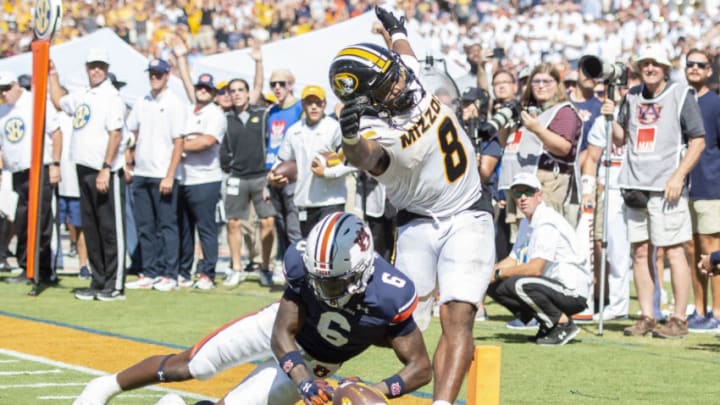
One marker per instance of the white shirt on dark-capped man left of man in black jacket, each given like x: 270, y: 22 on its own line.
x: 204, y: 166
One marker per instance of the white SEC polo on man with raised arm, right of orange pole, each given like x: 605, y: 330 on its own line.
x: 95, y: 112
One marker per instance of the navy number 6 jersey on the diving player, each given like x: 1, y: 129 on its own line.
x: 334, y: 335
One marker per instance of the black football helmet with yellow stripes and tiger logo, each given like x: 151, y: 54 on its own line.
x: 372, y: 71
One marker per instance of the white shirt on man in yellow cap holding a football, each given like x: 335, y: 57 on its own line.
x: 301, y: 144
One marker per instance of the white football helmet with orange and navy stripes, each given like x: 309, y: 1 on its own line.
x: 339, y: 257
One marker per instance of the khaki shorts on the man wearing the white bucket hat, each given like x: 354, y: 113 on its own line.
x: 661, y: 223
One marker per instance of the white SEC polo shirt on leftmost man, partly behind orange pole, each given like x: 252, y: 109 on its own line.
x: 16, y: 123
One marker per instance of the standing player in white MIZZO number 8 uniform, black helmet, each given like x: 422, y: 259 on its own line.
x: 415, y: 147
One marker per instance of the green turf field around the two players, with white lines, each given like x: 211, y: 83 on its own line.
x: 589, y: 370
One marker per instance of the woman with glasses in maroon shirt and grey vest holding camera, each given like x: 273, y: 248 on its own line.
x: 545, y: 144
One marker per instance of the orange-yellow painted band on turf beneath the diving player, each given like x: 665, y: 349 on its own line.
x: 111, y: 354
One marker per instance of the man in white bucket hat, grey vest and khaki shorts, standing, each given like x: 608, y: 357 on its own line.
x: 653, y: 121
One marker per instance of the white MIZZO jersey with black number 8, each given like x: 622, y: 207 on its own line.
x: 432, y: 168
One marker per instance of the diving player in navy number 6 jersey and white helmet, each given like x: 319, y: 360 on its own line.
x: 341, y: 298
